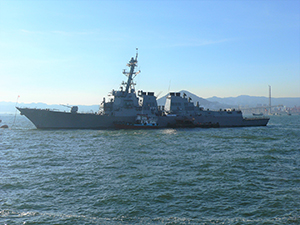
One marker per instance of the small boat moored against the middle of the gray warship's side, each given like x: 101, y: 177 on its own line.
x: 142, y: 121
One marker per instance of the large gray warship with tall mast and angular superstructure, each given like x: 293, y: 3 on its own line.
x: 124, y: 106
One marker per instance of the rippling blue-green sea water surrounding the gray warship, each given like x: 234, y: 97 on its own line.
x: 169, y: 176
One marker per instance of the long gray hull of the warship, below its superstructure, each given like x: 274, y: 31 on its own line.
x: 47, y: 119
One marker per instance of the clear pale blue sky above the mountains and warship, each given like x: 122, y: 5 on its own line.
x: 73, y: 52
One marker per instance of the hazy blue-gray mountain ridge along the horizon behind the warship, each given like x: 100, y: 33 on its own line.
x: 211, y: 103
